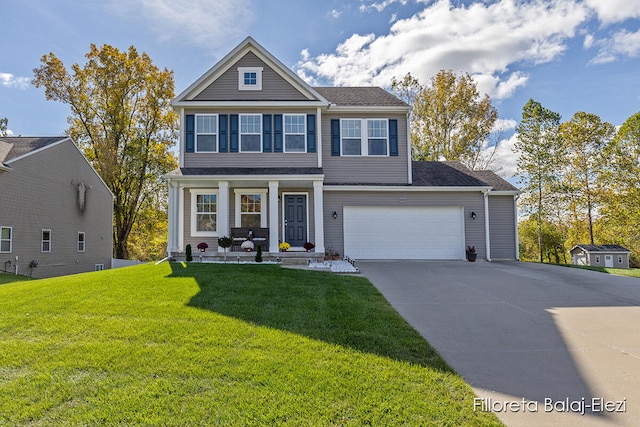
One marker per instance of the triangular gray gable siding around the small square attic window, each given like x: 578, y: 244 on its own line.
x: 274, y: 87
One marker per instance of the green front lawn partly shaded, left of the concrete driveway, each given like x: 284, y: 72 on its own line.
x: 211, y: 344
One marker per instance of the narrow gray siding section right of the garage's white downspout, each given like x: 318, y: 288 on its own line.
x: 501, y: 227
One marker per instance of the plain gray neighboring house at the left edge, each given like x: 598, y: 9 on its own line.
x: 56, y: 213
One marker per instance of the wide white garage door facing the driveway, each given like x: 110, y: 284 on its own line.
x: 403, y: 232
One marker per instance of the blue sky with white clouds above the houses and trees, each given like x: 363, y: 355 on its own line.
x: 571, y: 55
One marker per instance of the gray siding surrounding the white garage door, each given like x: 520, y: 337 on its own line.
x: 336, y: 200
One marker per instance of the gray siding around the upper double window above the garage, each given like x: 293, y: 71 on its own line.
x: 365, y: 170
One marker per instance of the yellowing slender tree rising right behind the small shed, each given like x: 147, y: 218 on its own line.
x: 585, y: 137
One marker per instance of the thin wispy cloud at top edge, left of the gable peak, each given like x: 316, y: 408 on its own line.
x: 209, y: 23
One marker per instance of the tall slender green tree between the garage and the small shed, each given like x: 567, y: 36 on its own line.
x: 541, y: 160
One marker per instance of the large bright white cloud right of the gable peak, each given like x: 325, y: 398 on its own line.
x: 482, y: 39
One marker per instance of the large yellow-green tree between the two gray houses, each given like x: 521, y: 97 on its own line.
x: 121, y: 117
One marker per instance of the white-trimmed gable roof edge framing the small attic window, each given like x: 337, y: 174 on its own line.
x: 247, y: 45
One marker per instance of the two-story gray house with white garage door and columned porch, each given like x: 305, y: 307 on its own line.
x: 329, y: 165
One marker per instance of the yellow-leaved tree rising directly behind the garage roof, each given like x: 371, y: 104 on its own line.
x: 450, y: 120
